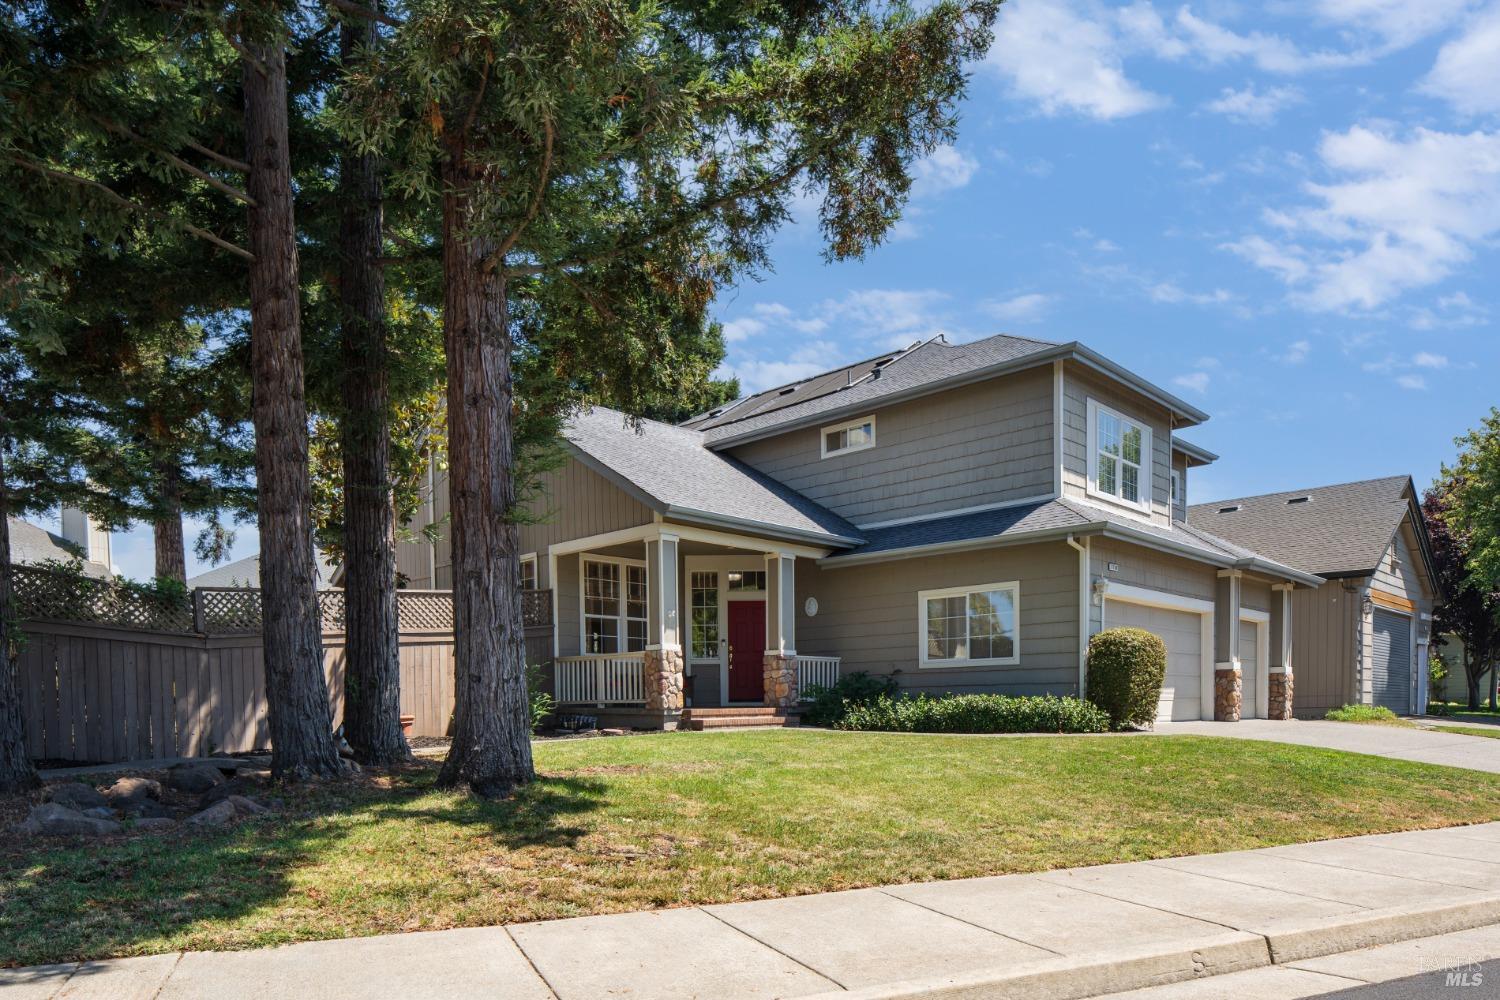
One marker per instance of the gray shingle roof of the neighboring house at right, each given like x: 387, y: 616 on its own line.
x: 1340, y: 530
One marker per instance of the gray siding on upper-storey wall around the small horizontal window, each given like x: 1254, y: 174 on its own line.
x: 973, y: 446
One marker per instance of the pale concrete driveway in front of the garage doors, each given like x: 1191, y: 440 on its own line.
x: 1397, y: 743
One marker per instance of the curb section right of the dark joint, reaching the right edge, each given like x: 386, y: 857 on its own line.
x: 1292, y: 944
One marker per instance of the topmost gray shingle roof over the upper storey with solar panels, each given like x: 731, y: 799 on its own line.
x: 922, y: 370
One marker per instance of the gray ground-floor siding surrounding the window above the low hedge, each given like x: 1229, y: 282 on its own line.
x: 869, y: 617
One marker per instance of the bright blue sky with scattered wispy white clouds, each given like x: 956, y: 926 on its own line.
x: 1288, y: 214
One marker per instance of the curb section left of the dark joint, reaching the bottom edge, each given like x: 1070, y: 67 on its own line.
x: 1079, y: 978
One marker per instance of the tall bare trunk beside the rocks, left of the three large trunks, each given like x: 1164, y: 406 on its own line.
x: 296, y: 690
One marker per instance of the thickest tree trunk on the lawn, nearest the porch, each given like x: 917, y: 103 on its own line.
x: 493, y: 729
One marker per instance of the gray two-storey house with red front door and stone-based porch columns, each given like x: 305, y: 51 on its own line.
x: 961, y: 518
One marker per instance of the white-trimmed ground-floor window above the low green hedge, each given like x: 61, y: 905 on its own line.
x: 970, y: 626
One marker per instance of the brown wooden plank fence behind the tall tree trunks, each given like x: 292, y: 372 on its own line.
x: 106, y: 692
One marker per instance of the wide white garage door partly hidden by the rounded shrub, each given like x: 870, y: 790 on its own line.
x: 1183, y: 626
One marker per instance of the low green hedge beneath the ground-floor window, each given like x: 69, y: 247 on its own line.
x: 976, y: 714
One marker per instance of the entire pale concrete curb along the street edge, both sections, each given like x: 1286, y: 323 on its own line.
x: 1234, y: 951
